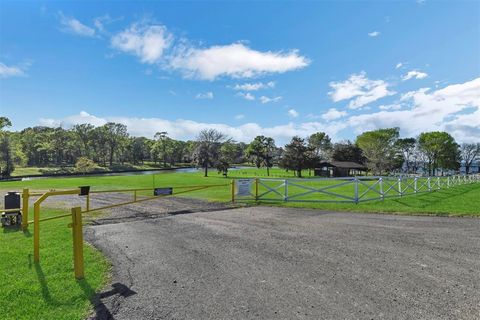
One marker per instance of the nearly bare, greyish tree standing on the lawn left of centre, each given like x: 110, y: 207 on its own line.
x: 208, y: 148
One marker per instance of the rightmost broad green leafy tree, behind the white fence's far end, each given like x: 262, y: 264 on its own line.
x: 440, y: 150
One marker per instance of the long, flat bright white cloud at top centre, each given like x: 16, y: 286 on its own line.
x: 235, y: 60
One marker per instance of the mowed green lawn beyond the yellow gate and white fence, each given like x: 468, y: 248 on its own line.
x: 458, y: 200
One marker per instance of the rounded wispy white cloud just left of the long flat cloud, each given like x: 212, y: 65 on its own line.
x: 147, y: 42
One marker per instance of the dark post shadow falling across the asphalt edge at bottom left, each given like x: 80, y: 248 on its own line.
x: 100, y: 309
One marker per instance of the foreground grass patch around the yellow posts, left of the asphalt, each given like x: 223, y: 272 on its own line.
x: 47, y: 290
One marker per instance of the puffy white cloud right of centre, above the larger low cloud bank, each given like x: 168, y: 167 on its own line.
x: 361, y: 88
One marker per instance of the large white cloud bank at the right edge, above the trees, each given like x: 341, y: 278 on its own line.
x: 448, y: 109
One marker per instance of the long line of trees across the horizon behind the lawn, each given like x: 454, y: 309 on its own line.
x: 87, y: 147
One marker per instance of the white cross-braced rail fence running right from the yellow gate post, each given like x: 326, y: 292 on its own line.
x: 349, y: 189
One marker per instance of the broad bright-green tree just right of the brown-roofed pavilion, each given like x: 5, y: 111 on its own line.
x: 380, y: 149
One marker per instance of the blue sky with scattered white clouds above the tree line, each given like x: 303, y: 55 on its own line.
x: 246, y: 68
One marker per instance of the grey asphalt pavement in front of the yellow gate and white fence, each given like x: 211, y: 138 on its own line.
x: 280, y: 263
